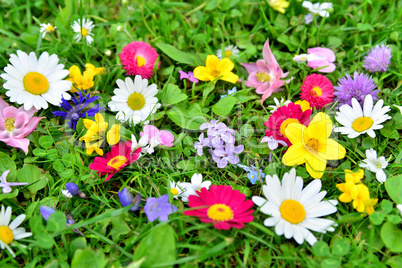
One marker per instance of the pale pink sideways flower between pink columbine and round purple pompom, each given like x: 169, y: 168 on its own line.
x: 319, y: 57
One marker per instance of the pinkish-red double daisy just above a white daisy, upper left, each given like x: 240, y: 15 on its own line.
x: 138, y: 58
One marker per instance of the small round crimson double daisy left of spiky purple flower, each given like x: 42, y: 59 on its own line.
x: 317, y: 90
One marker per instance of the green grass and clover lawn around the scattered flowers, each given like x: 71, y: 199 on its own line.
x: 112, y: 233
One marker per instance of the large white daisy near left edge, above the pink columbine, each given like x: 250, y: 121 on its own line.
x: 35, y: 82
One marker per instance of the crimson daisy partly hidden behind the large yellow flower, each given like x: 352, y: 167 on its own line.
x: 282, y: 117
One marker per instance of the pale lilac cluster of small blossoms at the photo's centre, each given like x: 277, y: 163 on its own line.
x: 220, y: 142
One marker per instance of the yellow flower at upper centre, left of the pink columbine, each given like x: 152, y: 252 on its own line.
x: 216, y: 69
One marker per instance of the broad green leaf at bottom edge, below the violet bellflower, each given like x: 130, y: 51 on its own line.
x: 158, y: 247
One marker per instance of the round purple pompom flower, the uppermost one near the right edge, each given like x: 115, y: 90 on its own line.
x: 378, y: 59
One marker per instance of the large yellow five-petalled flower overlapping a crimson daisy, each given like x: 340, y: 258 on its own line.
x: 311, y: 145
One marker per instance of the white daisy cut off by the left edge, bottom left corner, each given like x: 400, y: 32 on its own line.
x: 9, y: 233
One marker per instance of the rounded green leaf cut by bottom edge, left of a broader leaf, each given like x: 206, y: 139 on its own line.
x: 88, y: 258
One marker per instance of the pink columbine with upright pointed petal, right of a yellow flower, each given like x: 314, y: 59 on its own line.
x: 265, y: 75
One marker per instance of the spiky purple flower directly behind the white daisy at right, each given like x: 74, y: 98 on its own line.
x: 359, y: 87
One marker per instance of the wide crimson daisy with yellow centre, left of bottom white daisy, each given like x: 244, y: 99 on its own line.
x: 222, y: 206
